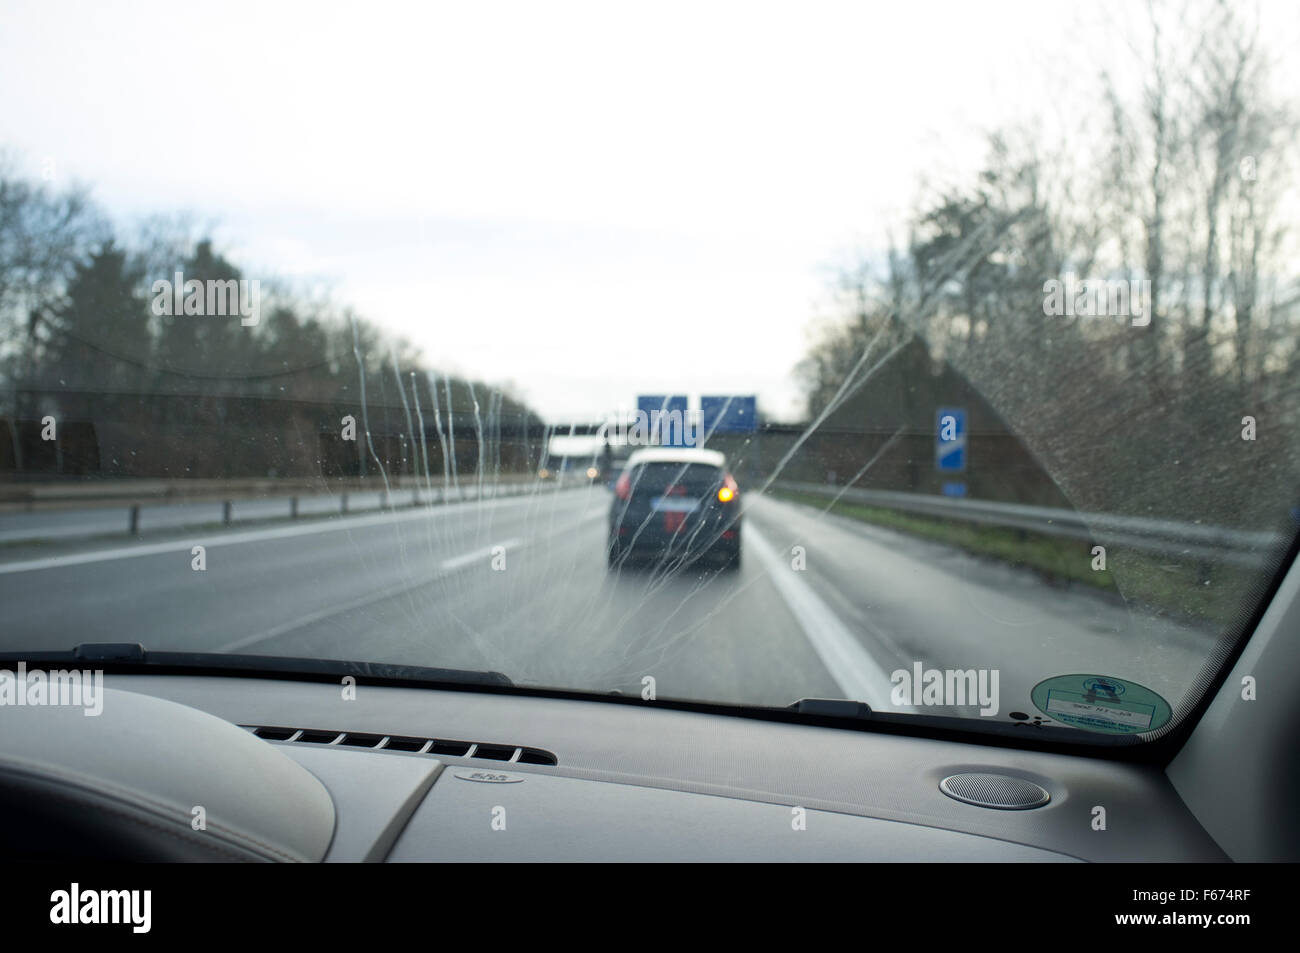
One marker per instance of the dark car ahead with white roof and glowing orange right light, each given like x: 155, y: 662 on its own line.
x: 675, y: 504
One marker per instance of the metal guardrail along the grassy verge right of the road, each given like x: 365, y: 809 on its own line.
x: 1165, y: 538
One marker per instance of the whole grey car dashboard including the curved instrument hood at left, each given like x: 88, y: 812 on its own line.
x: 291, y: 770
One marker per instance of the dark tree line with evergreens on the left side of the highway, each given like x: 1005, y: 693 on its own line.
x: 84, y: 341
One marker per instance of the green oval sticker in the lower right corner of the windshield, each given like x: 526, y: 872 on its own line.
x: 1099, y: 703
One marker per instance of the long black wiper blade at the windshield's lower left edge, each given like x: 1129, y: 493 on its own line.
x: 135, y: 656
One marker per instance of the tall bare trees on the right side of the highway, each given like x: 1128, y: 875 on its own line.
x: 1182, y: 180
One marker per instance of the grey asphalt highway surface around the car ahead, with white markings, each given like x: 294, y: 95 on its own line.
x: 521, y: 586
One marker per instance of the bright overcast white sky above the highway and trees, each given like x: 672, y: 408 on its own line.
x: 591, y: 201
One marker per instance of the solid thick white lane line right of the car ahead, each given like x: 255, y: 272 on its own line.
x: 850, y: 664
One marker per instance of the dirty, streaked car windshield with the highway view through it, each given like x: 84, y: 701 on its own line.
x: 963, y: 365
